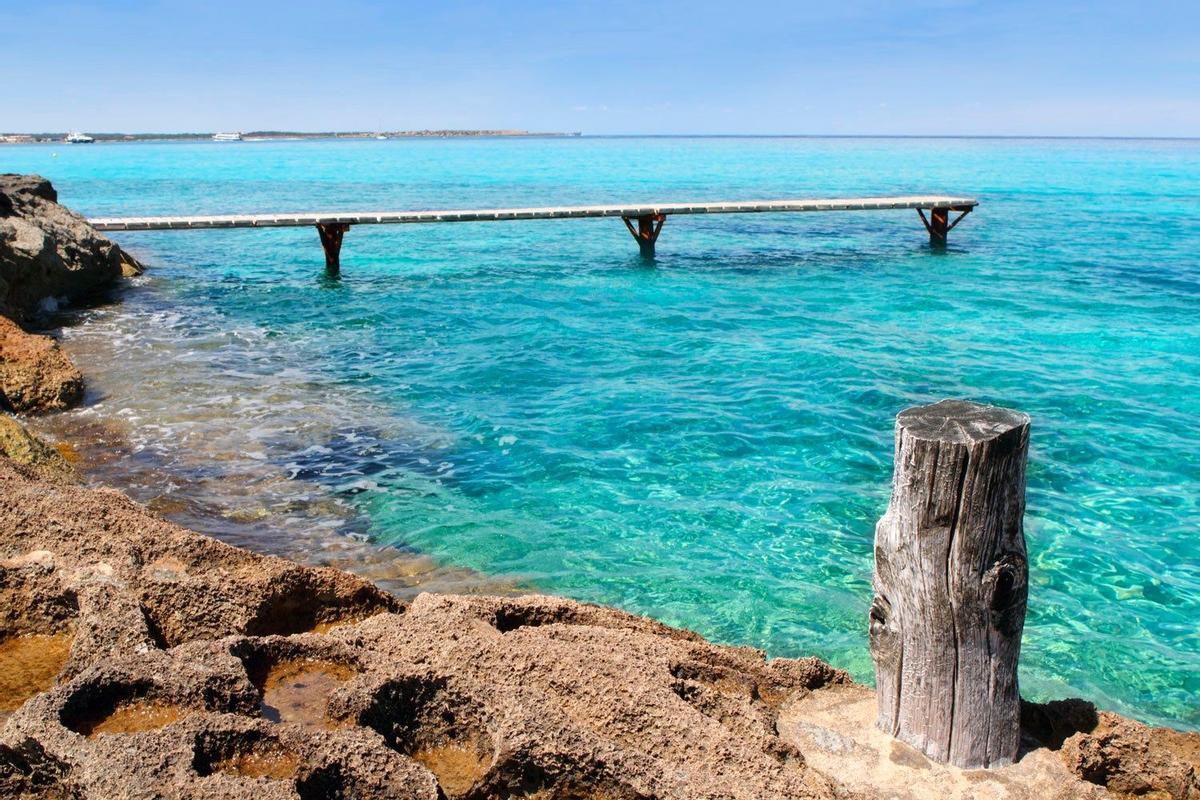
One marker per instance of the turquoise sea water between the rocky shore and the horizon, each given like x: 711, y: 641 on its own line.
x: 709, y: 440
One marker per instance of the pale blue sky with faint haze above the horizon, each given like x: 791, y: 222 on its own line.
x: 776, y: 68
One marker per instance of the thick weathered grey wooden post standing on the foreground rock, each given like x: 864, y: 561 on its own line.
x: 951, y: 584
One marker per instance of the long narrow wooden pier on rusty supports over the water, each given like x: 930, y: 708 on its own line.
x: 645, y: 222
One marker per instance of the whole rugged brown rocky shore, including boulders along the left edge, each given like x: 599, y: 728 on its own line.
x: 142, y: 660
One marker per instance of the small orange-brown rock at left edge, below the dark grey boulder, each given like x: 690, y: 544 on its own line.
x: 35, y: 374
